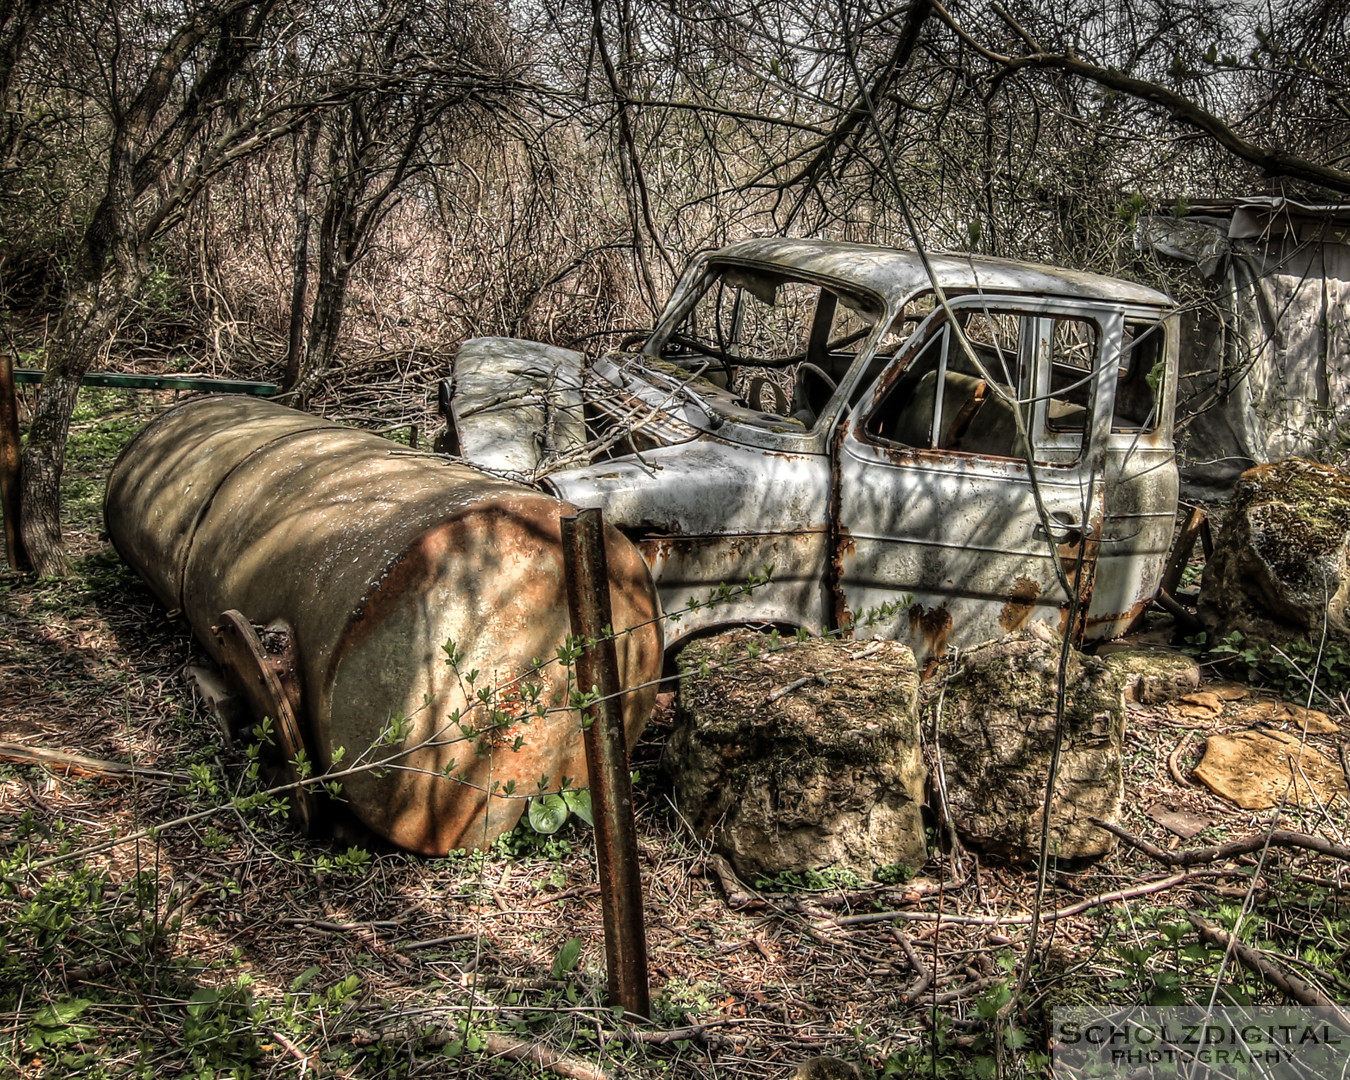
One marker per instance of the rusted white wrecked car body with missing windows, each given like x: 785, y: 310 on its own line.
x: 786, y: 414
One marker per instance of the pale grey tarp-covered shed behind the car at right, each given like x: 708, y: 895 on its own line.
x: 1266, y: 367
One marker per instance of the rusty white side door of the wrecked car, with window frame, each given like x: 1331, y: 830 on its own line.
x: 940, y: 541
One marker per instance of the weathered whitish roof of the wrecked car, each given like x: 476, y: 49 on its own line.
x: 898, y: 275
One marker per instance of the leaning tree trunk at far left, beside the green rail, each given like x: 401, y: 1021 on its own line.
x: 173, y: 117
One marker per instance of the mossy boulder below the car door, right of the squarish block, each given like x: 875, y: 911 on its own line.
x: 997, y: 728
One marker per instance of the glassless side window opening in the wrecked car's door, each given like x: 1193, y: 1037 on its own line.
x: 1039, y: 365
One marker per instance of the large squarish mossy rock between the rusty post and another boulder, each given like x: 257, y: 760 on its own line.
x: 801, y: 758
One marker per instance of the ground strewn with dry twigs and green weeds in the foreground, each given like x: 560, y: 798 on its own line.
x: 232, y: 947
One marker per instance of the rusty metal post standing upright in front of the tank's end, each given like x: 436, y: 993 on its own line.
x: 607, y: 762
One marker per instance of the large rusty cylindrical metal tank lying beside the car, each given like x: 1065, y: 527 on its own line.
x: 377, y: 558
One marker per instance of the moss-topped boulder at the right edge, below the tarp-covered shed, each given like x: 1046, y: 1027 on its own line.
x: 1280, y: 561
